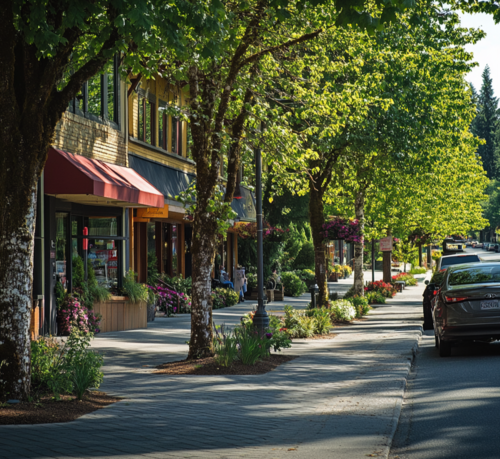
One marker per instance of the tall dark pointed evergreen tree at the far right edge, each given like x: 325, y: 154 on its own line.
x: 486, y: 123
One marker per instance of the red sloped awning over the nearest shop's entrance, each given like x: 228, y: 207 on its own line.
x: 79, y: 179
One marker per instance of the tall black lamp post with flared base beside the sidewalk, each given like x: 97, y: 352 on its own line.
x: 260, y: 319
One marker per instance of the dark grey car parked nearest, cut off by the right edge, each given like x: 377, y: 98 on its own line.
x: 467, y: 306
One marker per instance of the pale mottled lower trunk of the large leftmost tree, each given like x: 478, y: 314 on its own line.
x: 16, y: 275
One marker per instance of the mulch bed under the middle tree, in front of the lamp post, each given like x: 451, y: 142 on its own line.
x: 209, y: 367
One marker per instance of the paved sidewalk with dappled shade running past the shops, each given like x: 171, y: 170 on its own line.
x: 340, y: 399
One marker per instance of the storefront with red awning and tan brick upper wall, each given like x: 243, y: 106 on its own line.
x: 86, y: 194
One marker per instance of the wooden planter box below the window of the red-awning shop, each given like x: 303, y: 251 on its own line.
x: 119, y: 315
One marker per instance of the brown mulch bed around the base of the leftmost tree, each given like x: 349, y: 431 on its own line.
x: 49, y: 411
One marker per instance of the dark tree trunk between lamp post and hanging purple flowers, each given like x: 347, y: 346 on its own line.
x: 317, y: 219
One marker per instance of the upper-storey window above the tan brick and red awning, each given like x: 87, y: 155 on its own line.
x: 99, y: 97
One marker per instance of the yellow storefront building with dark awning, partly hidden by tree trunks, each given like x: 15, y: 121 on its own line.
x: 159, y: 150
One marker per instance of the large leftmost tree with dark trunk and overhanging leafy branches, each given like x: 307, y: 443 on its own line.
x: 49, y: 49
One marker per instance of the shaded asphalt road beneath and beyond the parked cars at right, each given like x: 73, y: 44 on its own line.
x: 452, y: 405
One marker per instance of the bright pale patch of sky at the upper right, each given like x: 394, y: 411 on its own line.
x: 486, y: 51
